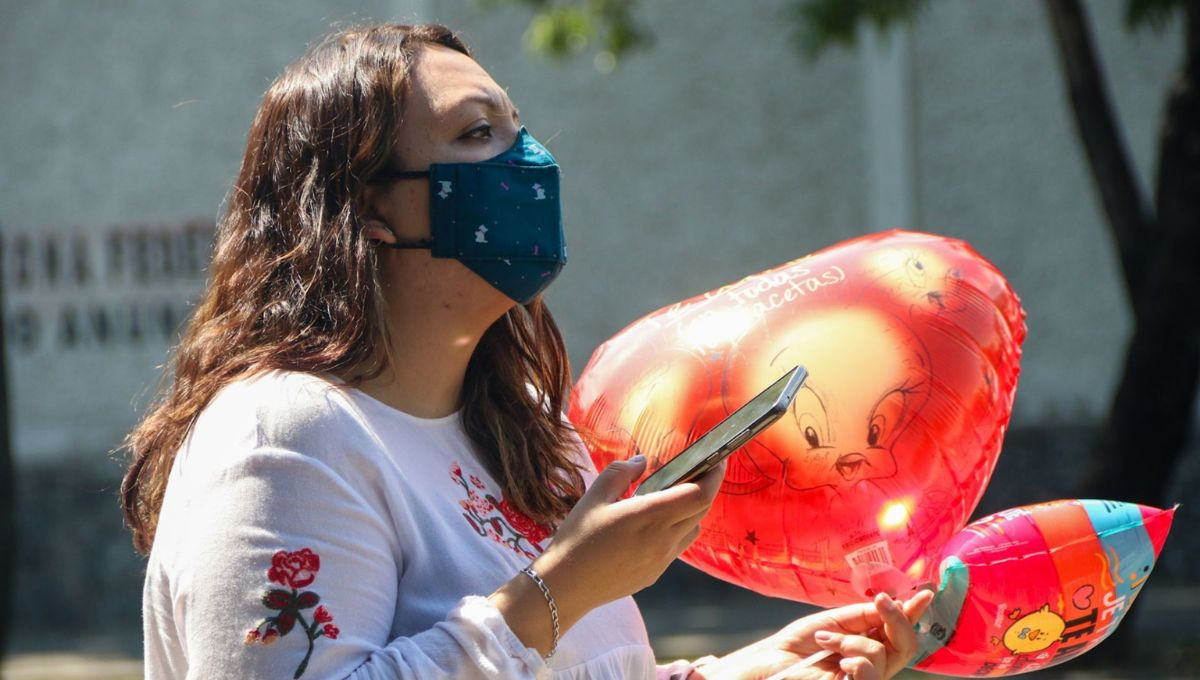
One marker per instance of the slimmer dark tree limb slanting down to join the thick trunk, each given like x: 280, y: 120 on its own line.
x: 1129, y: 215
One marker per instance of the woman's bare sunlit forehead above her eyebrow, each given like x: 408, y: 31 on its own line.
x: 446, y: 80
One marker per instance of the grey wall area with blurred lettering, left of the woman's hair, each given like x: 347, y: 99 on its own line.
x: 124, y: 124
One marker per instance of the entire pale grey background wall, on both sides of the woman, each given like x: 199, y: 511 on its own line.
x: 717, y: 154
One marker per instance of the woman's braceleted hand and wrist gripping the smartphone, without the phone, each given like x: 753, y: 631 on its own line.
x: 607, y: 549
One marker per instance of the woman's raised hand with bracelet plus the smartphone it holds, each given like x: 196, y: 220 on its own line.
x: 609, y: 547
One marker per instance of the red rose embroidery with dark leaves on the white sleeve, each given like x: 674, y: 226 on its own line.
x: 295, y: 571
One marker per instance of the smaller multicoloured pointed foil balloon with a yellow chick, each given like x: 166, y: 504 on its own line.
x: 1030, y: 588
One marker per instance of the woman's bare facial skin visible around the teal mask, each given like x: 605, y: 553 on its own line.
x: 454, y: 113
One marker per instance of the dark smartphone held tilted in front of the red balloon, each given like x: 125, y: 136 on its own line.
x: 728, y: 436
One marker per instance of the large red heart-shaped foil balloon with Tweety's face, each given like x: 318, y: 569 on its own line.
x: 913, y: 345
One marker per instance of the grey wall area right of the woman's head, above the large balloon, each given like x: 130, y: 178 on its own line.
x: 722, y: 153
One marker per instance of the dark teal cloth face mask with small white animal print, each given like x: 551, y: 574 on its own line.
x: 501, y: 218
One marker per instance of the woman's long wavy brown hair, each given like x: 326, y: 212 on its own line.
x: 295, y: 285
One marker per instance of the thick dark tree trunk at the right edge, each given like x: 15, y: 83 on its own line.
x: 1150, y: 419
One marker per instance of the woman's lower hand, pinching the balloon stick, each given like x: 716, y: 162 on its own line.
x: 873, y: 641
